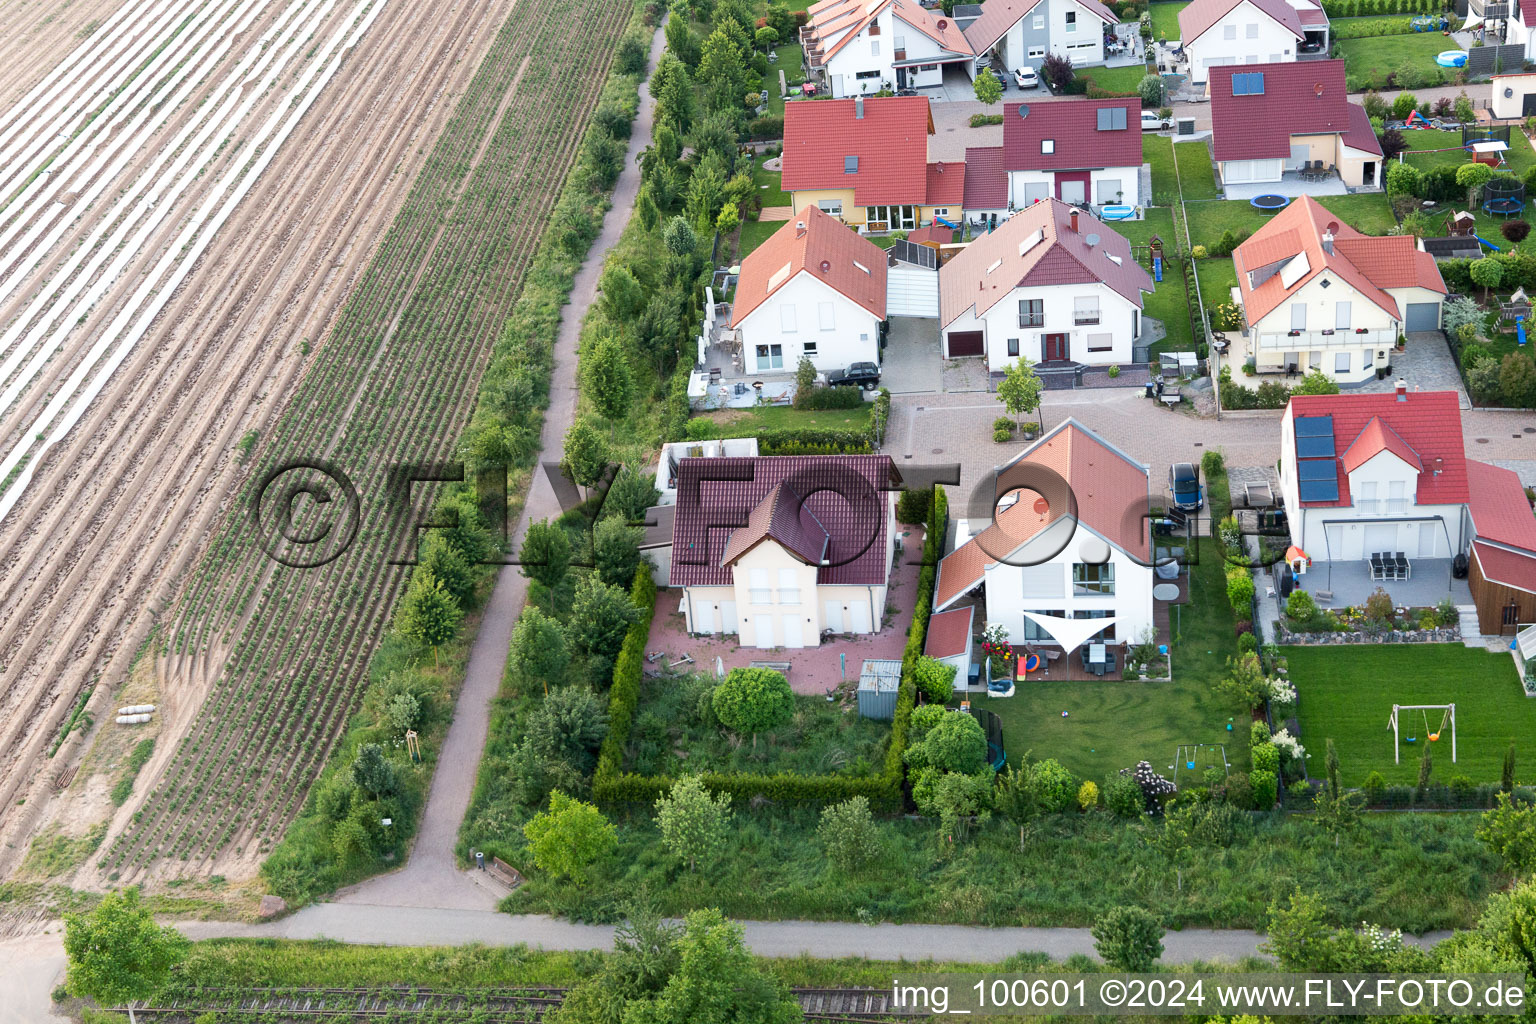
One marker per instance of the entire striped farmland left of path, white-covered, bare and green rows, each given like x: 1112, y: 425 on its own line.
x: 188, y: 197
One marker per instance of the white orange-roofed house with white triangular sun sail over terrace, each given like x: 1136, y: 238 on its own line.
x: 1068, y: 557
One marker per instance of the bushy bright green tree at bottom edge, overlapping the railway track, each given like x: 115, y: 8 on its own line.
x: 717, y: 982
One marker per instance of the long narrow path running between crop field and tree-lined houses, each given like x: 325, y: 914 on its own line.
x: 431, y: 879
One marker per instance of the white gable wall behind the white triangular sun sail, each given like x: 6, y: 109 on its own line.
x: 1131, y: 603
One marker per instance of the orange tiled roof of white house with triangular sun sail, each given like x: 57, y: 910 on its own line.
x: 1104, y: 489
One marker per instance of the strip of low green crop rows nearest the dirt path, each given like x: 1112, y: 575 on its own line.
x: 286, y: 649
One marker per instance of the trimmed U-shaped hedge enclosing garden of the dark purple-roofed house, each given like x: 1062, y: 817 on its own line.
x: 612, y: 785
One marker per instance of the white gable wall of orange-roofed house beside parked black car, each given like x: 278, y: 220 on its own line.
x: 855, y: 335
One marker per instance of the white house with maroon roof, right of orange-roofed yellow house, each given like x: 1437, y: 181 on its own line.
x: 1076, y: 151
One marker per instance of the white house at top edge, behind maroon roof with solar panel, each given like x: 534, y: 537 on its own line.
x: 1217, y: 33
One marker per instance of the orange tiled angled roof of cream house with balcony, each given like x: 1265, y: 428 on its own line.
x: 1368, y: 263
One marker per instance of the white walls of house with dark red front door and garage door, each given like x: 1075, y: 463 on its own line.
x: 1116, y: 317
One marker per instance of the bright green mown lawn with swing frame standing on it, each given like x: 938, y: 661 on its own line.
x: 1346, y: 695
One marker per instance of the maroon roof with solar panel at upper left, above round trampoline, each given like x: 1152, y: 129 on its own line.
x: 1300, y: 99
